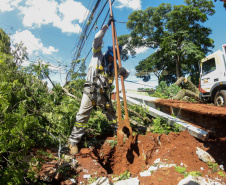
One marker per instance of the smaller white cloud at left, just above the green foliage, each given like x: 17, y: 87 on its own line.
x: 32, y: 43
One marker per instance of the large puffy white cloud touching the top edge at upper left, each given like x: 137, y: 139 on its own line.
x: 64, y: 16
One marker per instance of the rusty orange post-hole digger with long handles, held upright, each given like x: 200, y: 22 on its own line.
x: 123, y: 125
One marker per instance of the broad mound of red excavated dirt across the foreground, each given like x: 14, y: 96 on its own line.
x: 150, y: 150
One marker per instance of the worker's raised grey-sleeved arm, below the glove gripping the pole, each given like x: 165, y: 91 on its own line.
x: 97, y: 42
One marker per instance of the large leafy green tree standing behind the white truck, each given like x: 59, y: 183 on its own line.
x: 176, y: 31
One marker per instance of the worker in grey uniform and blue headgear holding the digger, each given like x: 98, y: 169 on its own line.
x: 98, y: 82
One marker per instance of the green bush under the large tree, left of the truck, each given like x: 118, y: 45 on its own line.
x: 165, y: 91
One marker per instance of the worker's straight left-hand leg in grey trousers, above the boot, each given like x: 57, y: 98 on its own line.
x: 82, y: 119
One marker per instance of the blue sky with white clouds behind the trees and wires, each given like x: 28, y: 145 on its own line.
x: 50, y: 30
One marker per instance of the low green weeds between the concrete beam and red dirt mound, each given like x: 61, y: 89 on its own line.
x: 160, y: 126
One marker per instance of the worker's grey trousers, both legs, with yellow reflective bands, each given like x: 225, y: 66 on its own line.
x: 84, y: 113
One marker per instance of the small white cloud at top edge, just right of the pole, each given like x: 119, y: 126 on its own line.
x: 133, y: 4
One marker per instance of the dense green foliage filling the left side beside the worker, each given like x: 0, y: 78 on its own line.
x: 29, y: 111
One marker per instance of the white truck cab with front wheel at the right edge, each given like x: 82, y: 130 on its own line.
x: 212, y: 83
